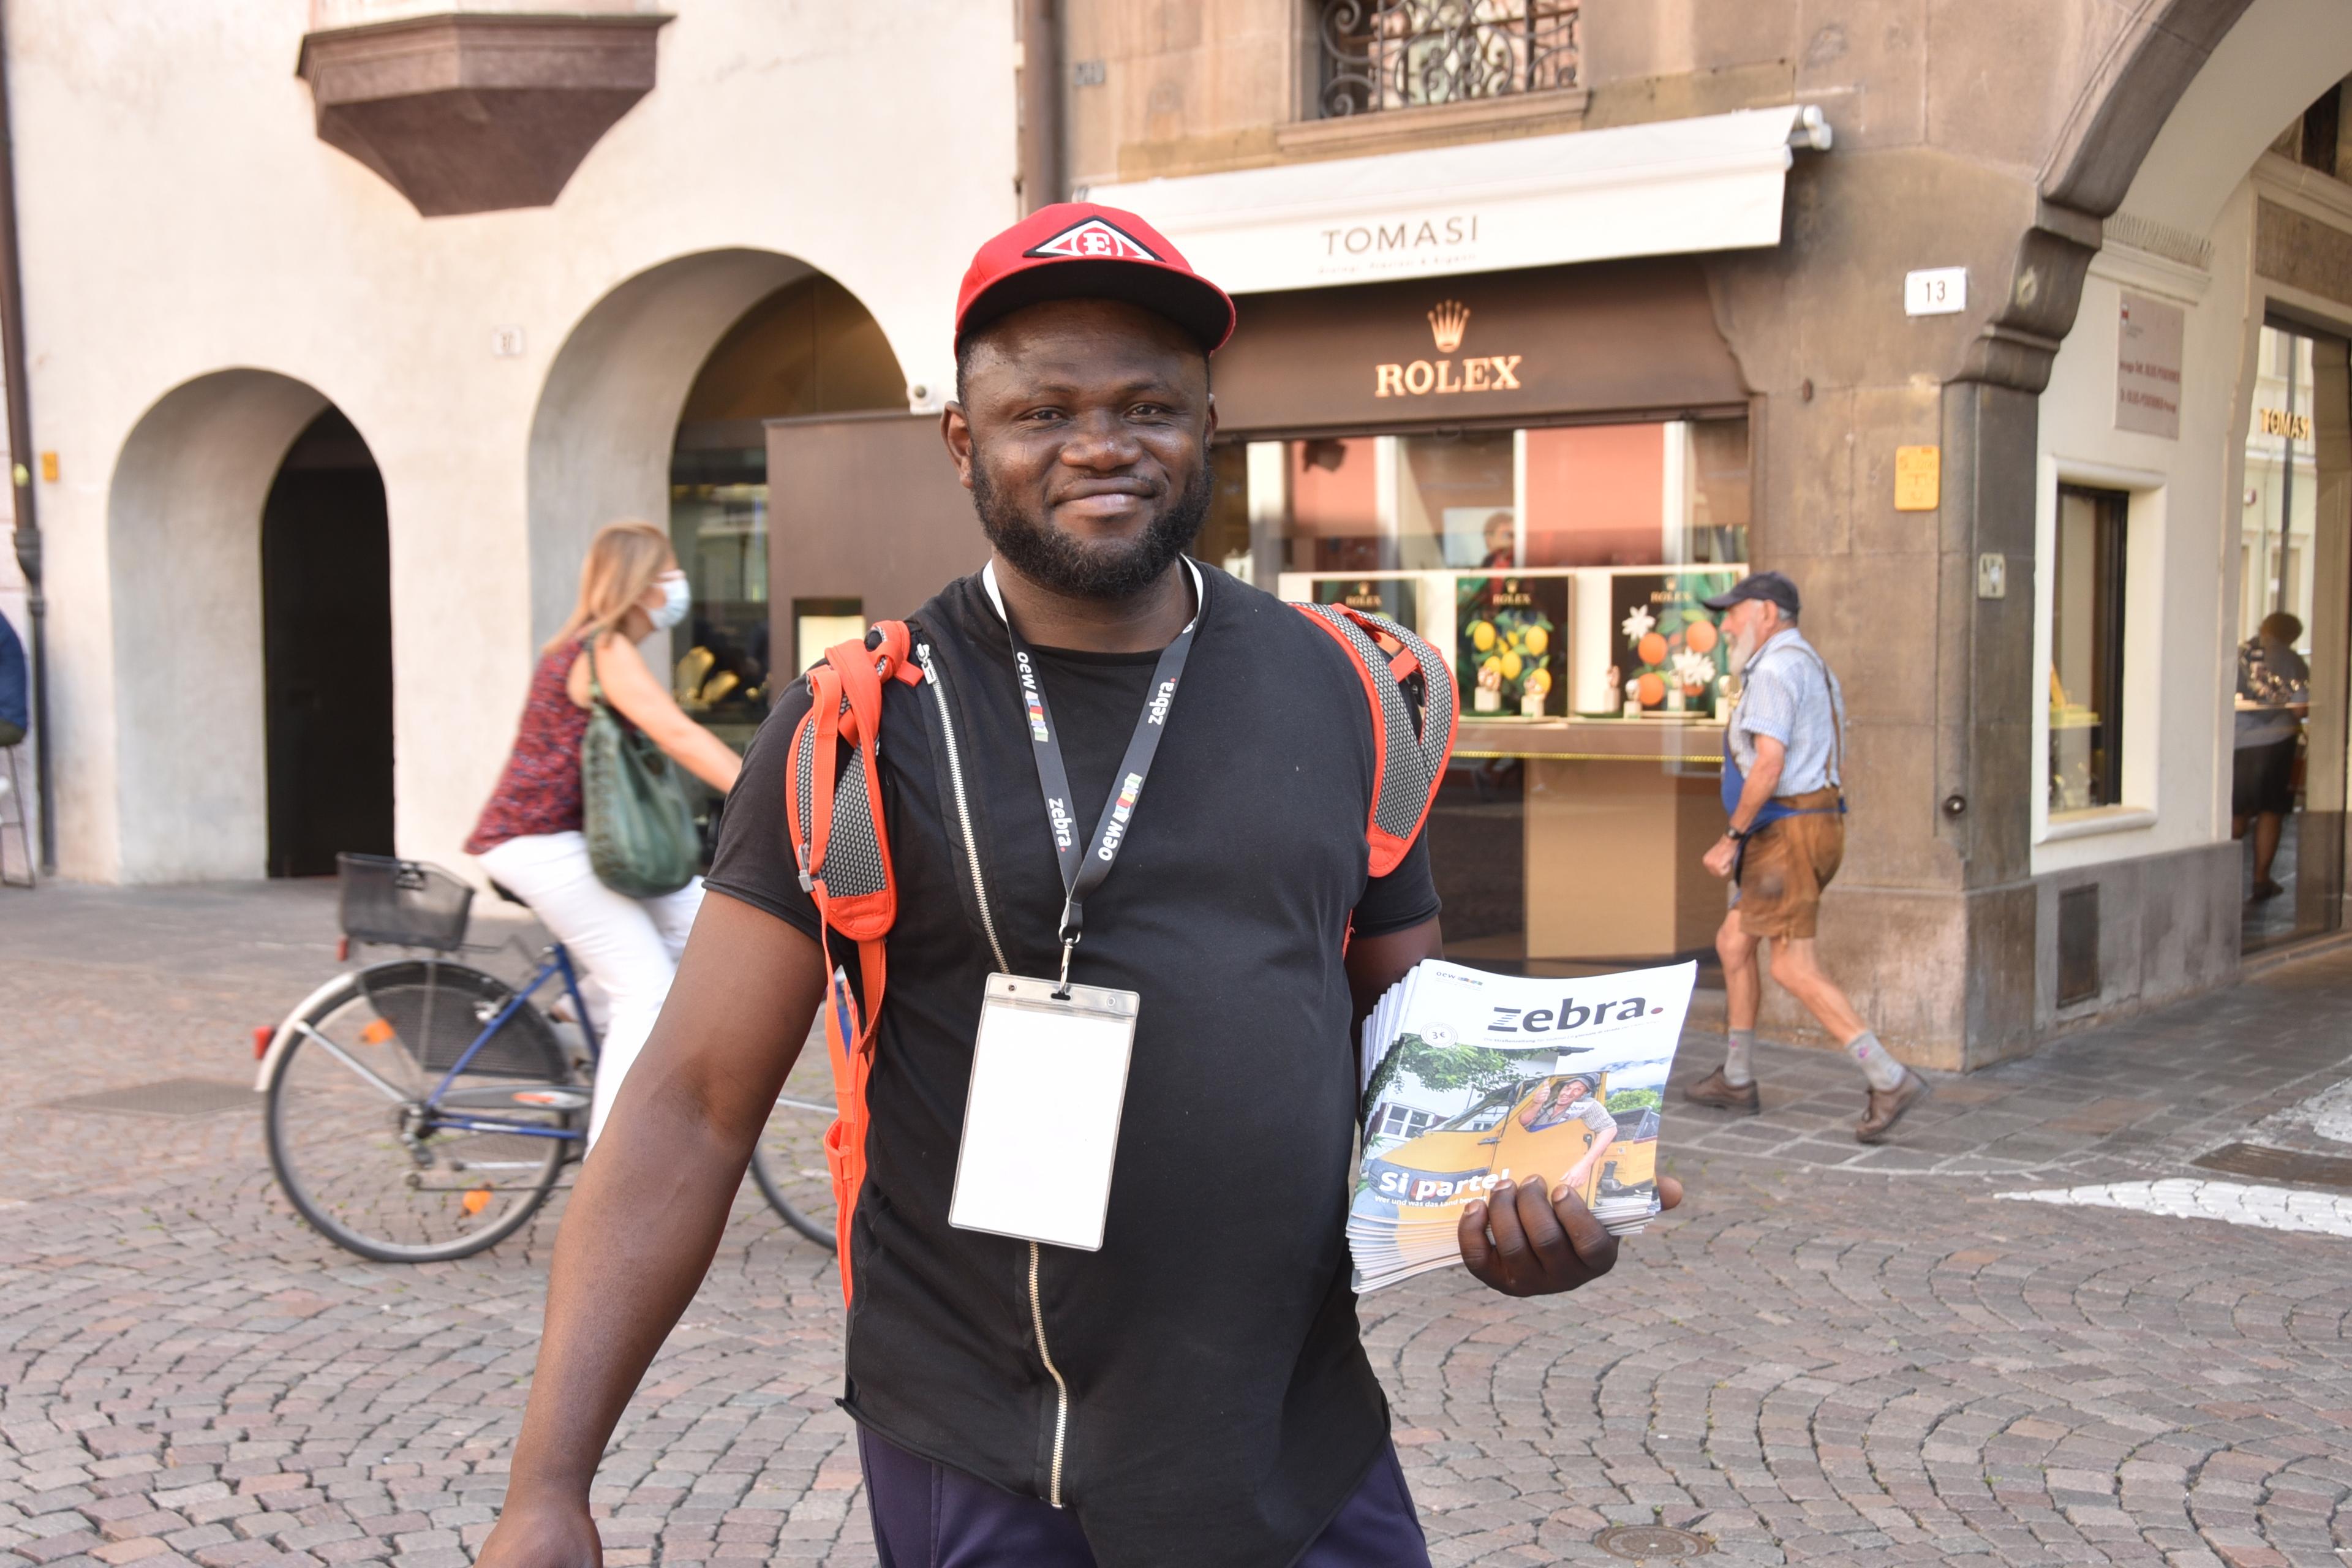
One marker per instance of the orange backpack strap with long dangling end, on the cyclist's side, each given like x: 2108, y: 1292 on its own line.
x: 834, y: 817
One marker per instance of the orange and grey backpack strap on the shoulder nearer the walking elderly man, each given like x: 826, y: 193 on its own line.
x: 1412, y: 732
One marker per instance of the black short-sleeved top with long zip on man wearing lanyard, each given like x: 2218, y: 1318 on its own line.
x: 1220, y: 1405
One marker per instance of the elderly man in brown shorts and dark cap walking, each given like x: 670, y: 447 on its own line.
x: 1784, y: 756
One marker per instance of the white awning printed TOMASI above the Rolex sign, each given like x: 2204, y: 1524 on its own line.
x: 1706, y: 185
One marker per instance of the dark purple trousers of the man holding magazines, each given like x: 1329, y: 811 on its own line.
x: 935, y: 1517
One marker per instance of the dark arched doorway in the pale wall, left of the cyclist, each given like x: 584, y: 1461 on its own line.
x: 328, y: 652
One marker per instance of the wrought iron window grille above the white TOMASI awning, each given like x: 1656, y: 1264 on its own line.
x: 1410, y: 53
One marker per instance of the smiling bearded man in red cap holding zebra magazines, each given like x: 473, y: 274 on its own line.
x: 1191, y: 1391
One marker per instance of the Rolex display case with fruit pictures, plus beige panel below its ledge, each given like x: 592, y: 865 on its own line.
x: 1586, y: 760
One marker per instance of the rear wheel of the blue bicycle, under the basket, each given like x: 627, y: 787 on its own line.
x: 368, y: 1162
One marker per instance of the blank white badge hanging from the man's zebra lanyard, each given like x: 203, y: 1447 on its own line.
x: 1043, y: 1118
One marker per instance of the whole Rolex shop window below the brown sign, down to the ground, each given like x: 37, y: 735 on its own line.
x: 1563, y: 570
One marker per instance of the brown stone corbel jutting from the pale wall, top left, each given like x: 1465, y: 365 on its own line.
x: 479, y: 112
